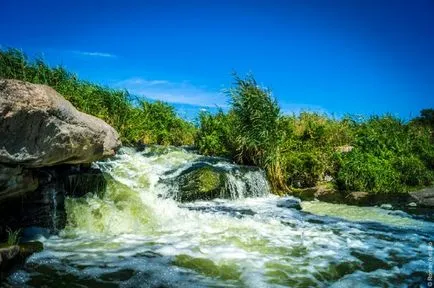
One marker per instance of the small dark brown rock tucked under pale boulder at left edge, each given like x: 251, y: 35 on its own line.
x: 16, y: 181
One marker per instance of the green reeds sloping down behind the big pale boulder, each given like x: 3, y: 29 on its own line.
x: 145, y: 122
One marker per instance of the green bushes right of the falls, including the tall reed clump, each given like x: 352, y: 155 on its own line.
x: 379, y: 154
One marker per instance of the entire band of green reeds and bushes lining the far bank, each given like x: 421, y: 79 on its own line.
x: 378, y: 154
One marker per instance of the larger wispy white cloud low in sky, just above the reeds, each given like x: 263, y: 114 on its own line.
x: 174, y: 92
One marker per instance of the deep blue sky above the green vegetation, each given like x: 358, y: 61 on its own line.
x: 336, y: 57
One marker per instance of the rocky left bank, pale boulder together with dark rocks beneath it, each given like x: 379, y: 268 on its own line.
x: 46, y: 147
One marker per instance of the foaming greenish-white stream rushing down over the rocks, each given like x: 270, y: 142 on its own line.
x: 137, y: 235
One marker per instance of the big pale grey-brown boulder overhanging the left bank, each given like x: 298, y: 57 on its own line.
x: 38, y: 127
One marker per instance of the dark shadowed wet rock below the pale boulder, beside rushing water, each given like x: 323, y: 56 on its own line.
x: 44, y: 208
